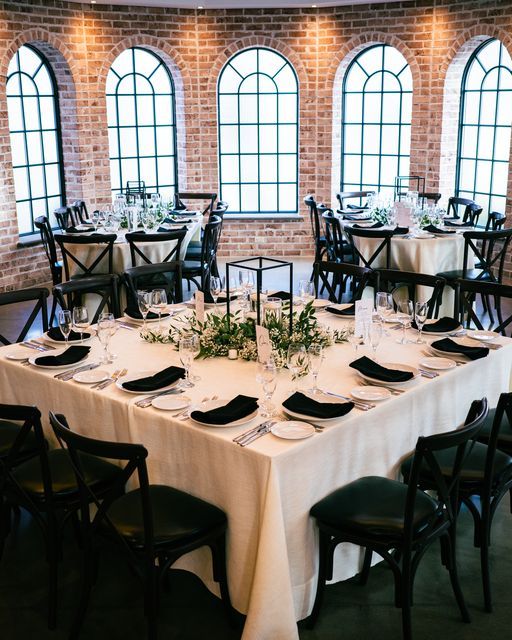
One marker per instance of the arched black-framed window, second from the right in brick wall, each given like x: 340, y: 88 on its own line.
x: 376, y: 120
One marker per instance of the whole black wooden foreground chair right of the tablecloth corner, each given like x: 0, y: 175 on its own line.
x: 399, y: 521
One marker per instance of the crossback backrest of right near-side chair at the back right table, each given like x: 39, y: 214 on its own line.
x: 492, y: 262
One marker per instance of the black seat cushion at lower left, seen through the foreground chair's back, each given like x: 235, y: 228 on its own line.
x: 97, y: 472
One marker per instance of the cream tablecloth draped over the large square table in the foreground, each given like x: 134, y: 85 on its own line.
x: 267, y: 488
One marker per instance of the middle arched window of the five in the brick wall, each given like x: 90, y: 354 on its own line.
x: 258, y: 132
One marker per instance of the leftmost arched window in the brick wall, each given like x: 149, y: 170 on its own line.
x: 35, y: 137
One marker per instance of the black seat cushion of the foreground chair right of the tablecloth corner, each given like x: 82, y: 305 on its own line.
x: 373, y: 506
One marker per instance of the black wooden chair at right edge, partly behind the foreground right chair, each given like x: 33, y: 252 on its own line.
x: 487, y: 475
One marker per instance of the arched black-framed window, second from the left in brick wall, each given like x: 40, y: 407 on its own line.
x: 141, y: 122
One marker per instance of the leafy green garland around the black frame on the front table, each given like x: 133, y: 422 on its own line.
x: 218, y: 334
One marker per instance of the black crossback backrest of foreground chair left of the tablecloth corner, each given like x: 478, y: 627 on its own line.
x: 133, y: 459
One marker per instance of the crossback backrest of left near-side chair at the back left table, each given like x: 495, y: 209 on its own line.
x: 96, y: 249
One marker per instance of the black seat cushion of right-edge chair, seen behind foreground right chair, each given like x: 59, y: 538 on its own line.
x: 473, y: 469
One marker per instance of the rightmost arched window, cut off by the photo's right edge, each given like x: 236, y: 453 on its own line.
x: 484, y: 127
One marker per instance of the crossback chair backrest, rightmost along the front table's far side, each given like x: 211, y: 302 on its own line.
x: 465, y: 294
